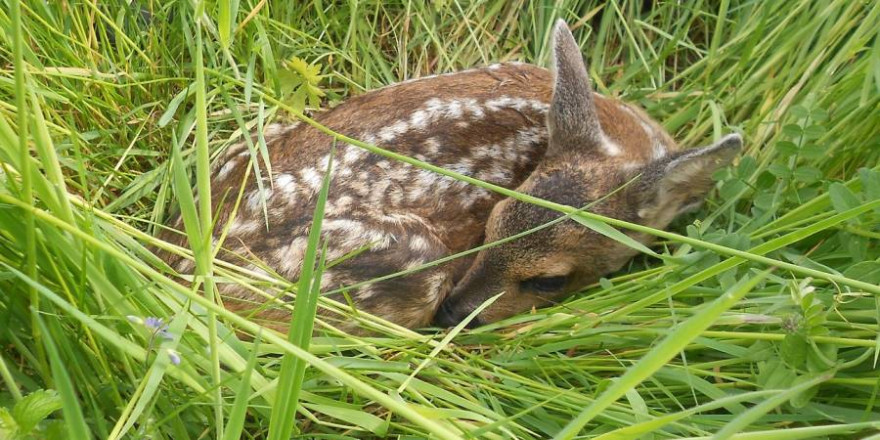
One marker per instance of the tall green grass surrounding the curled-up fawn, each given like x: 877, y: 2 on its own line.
x: 763, y: 312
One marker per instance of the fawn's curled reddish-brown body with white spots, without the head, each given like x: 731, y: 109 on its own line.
x: 488, y: 123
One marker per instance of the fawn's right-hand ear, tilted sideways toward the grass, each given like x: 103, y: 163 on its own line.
x: 672, y: 187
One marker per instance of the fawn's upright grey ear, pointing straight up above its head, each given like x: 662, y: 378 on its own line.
x: 572, y: 121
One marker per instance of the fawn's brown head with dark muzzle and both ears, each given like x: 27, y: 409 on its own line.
x: 582, y: 166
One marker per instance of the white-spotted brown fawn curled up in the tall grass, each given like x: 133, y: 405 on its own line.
x: 514, y: 125
